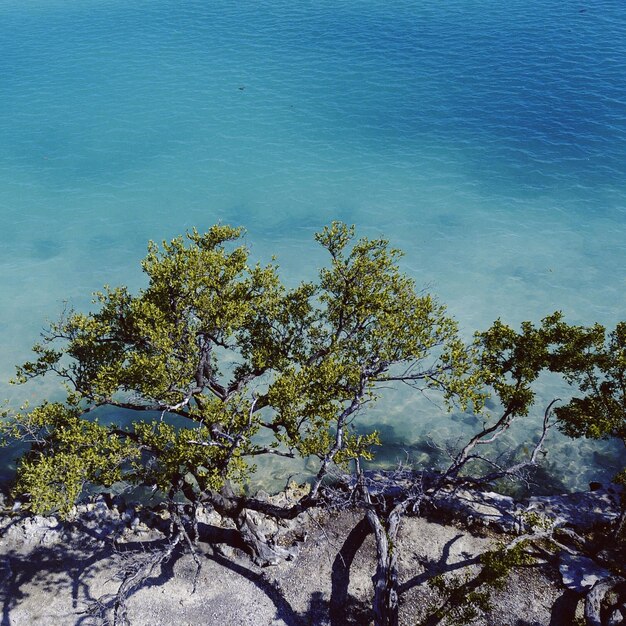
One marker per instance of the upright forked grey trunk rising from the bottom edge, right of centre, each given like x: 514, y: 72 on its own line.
x: 385, y: 606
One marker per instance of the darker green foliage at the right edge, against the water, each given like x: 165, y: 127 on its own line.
x: 593, y: 363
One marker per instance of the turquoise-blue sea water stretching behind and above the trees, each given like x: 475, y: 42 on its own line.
x: 486, y: 139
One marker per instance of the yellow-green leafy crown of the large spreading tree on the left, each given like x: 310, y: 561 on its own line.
x: 223, y: 345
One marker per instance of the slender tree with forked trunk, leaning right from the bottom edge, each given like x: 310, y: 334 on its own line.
x: 505, y: 363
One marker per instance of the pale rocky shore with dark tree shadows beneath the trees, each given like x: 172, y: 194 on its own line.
x: 65, y: 573
